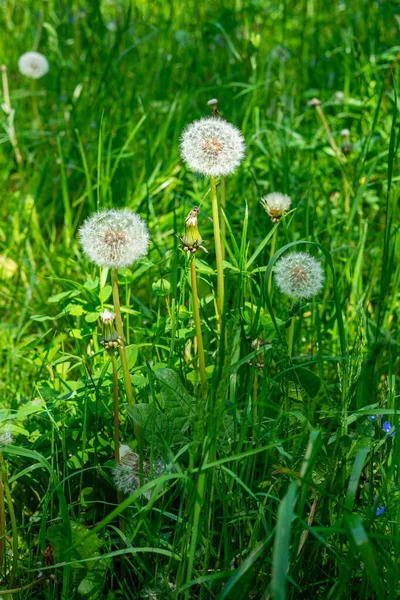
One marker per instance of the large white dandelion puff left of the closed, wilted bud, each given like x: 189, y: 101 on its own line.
x: 114, y: 238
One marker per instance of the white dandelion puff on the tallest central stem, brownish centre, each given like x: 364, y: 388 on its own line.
x: 212, y: 146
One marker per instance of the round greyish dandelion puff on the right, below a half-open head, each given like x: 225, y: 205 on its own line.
x: 299, y: 275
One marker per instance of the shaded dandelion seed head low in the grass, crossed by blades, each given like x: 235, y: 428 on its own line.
x: 126, y: 474
